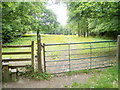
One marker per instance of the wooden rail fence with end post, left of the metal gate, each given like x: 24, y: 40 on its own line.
x: 19, y: 53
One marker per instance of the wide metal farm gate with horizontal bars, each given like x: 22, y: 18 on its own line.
x: 67, y: 57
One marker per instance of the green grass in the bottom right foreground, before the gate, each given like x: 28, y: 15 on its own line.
x: 107, y: 78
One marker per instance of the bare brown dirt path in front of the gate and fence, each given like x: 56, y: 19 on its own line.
x: 56, y: 82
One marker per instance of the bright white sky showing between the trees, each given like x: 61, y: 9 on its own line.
x: 60, y: 10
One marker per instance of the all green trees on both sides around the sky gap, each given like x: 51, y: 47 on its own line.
x: 85, y: 18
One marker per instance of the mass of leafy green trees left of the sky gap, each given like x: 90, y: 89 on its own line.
x: 21, y: 17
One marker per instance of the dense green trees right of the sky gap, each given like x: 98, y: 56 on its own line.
x: 94, y: 18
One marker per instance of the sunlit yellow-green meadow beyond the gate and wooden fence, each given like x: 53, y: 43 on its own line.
x: 27, y: 38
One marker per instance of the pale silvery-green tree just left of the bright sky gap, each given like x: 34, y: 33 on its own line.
x: 48, y: 21
